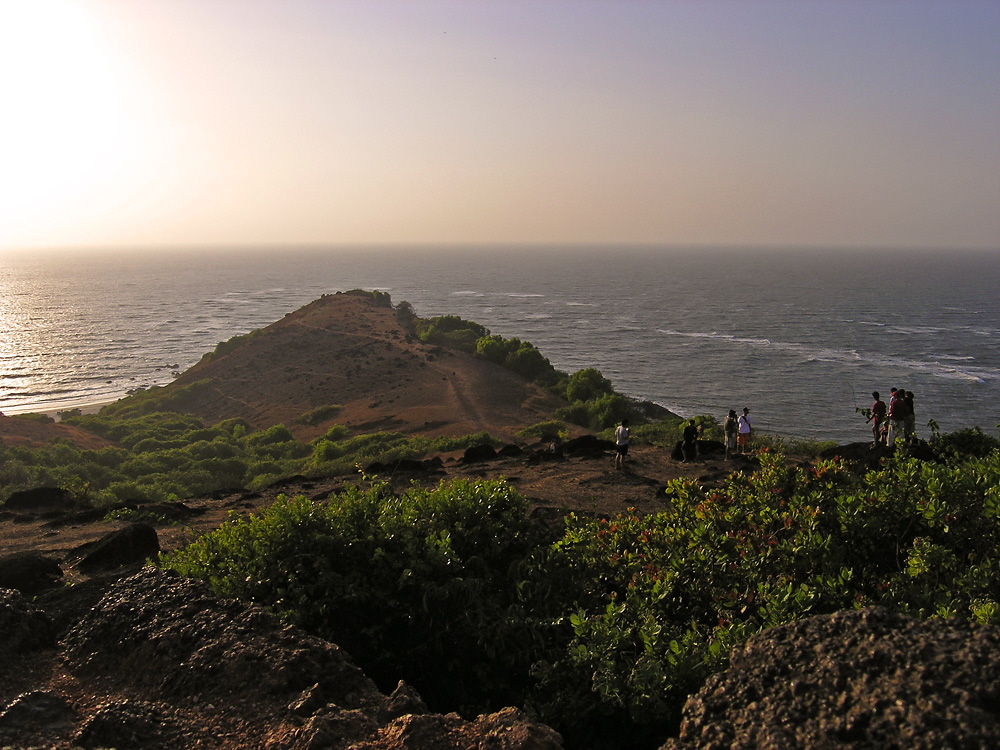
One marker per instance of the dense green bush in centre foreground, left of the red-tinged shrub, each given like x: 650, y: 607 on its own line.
x: 421, y: 586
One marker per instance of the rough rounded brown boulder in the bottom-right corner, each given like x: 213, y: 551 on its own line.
x: 853, y: 679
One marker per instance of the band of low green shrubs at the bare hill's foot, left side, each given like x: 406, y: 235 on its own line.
x: 167, y: 456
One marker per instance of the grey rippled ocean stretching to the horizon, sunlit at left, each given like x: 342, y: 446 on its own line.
x: 800, y: 337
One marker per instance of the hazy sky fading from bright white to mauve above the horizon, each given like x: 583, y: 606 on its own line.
x: 813, y: 123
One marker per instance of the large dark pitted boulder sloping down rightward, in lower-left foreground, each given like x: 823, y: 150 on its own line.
x: 159, y: 635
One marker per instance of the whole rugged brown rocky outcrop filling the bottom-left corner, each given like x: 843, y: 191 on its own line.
x: 170, y: 665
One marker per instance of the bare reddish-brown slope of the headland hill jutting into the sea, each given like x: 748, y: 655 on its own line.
x: 349, y: 351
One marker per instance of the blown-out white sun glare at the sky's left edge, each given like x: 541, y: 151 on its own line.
x: 66, y: 134
